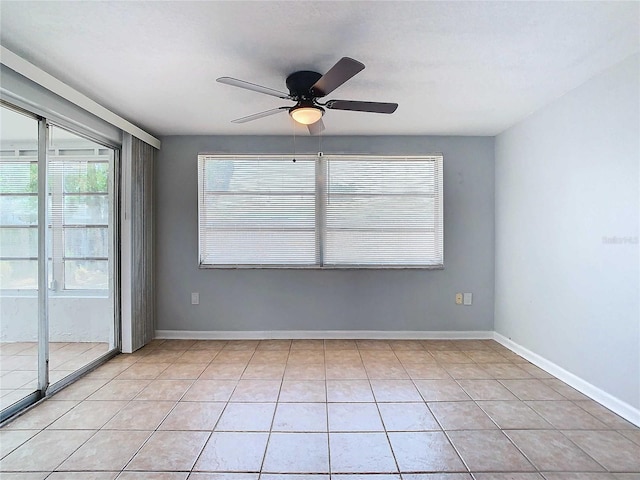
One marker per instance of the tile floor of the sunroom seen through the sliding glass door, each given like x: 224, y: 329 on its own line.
x: 19, y: 365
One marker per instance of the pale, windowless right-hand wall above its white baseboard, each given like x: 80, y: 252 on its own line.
x: 566, y: 187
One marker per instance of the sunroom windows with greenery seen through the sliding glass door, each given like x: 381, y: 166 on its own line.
x: 79, y: 177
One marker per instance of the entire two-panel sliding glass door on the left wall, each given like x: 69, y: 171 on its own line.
x: 57, y: 202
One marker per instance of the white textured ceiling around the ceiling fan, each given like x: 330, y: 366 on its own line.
x: 455, y: 68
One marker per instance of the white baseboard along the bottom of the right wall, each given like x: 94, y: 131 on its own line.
x: 614, y: 404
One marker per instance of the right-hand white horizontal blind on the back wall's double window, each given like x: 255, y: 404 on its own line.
x: 383, y: 211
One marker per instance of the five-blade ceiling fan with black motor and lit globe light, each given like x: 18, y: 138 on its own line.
x: 305, y: 88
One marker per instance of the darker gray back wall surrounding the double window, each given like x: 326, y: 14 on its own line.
x: 268, y: 299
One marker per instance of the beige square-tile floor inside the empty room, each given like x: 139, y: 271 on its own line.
x: 320, y: 410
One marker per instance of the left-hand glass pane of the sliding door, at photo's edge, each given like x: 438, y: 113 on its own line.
x: 18, y: 208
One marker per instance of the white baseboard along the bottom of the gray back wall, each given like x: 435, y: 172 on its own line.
x: 322, y: 334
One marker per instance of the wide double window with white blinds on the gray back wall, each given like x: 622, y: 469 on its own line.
x: 320, y: 211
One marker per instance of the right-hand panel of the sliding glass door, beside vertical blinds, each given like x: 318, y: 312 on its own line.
x: 81, y: 224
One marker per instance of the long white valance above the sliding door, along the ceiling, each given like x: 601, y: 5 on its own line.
x: 35, y: 74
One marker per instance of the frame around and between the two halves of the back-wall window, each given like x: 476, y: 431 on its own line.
x: 320, y: 197
